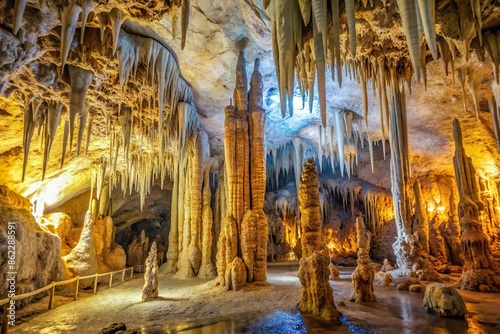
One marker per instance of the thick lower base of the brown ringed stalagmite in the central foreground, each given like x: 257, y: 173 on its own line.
x: 317, y: 294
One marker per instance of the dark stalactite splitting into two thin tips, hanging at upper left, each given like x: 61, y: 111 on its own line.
x: 80, y: 82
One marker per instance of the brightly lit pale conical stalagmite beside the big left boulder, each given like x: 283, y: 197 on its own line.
x: 82, y: 260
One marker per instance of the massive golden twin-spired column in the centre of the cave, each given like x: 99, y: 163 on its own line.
x: 243, y: 239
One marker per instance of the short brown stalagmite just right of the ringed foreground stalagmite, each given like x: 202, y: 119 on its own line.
x: 363, y: 275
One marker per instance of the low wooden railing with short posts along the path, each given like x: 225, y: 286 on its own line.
x: 52, y: 286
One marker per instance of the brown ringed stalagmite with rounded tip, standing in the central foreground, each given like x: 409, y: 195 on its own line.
x: 317, y: 294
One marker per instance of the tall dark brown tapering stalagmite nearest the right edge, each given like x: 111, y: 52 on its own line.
x: 477, y: 272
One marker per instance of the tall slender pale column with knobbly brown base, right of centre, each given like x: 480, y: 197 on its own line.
x: 411, y: 244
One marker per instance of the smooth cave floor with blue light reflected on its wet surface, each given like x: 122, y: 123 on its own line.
x: 196, y: 306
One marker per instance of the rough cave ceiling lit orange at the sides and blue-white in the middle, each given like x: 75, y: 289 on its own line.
x: 51, y: 61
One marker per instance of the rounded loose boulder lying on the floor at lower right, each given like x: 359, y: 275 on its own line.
x: 444, y: 300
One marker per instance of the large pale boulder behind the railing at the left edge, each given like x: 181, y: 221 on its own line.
x: 38, y: 253
